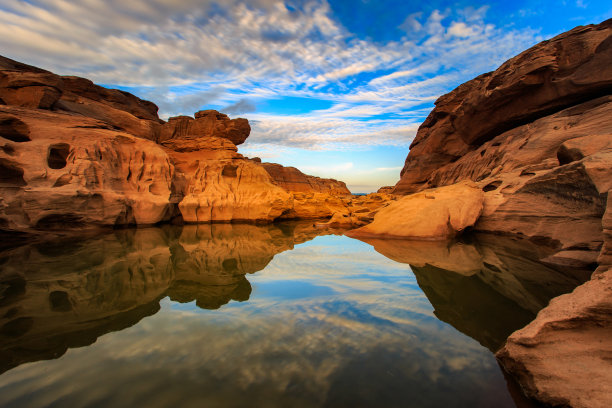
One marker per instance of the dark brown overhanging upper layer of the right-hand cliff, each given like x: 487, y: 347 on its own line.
x: 565, y: 71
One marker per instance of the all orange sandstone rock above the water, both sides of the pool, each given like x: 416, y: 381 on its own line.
x: 524, y: 151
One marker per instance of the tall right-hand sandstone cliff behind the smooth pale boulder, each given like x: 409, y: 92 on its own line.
x: 535, y: 136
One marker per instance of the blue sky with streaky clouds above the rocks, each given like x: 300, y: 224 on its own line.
x: 334, y: 88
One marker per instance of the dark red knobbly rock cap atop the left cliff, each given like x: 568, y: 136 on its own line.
x: 209, y: 123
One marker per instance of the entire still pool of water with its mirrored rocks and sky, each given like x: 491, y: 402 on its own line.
x: 264, y: 316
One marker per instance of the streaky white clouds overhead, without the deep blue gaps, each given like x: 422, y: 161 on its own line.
x: 189, y: 54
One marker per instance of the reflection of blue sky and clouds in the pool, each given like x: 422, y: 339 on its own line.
x: 329, y: 323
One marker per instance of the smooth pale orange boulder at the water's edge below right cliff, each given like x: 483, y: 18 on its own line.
x: 436, y: 214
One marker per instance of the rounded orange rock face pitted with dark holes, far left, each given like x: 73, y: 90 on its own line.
x: 61, y: 171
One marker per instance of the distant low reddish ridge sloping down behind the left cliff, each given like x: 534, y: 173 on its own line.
x: 293, y: 180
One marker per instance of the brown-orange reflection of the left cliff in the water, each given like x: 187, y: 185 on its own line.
x: 67, y: 294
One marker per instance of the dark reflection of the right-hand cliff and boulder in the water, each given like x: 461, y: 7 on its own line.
x: 486, y: 289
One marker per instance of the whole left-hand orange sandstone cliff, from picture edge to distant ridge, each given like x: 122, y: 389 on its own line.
x: 77, y: 155
